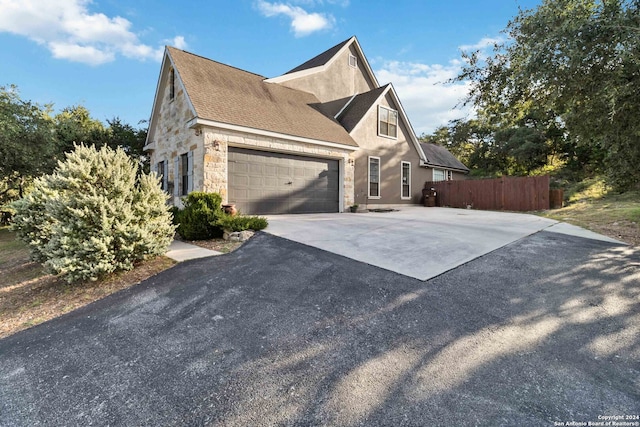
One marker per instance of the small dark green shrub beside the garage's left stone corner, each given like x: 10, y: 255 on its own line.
x: 197, y: 221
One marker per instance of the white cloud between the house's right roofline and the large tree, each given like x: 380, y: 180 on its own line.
x: 425, y: 94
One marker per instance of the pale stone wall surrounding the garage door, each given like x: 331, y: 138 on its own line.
x: 217, y: 141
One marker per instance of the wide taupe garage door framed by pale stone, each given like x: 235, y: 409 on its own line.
x: 262, y: 182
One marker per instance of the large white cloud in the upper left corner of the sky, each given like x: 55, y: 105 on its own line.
x: 70, y: 31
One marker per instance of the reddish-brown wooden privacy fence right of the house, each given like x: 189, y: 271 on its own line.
x: 529, y: 193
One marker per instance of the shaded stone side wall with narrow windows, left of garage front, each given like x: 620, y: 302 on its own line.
x: 173, y: 138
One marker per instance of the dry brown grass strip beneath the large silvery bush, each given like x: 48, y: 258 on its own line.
x: 29, y: 296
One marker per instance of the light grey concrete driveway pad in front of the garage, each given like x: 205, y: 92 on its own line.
x: 415, y: 241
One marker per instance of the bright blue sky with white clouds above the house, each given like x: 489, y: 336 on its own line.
x: 106, y: 54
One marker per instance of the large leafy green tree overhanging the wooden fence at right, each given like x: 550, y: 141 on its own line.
x: 570, y: 75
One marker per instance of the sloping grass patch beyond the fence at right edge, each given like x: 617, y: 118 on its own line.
x: 590, y: 206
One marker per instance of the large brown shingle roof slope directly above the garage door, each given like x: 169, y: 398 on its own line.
x: 229, y: 95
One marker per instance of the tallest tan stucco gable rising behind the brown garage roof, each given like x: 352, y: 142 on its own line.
x: 332, y: 78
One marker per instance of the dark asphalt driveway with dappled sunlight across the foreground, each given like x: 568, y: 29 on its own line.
x: 543, y: 330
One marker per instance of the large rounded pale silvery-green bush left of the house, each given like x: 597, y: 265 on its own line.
x: 95, y: 214
